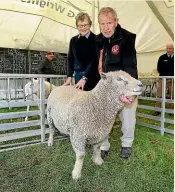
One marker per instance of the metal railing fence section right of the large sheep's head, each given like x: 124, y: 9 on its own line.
x: 159, y: 91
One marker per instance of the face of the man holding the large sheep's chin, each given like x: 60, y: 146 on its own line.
x: 107, y: 23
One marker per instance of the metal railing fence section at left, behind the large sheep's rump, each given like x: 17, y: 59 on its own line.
x: 15, y: 132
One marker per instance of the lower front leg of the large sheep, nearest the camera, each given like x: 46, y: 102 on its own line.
x: 76, y: 173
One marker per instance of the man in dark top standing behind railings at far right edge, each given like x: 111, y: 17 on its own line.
x: 165, y: 67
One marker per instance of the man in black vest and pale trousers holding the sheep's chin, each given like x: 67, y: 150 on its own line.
x: 116, y: 51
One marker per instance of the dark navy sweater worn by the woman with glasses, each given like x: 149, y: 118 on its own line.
x: 83, y: 60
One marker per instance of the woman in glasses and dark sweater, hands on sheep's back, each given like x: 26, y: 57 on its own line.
x: 82, y: 57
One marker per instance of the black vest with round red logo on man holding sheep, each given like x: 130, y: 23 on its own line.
x: 119, y: 51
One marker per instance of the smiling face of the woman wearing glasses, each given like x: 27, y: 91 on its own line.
x: 83, y: 27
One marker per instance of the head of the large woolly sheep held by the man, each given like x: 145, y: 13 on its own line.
x: 123, y: 83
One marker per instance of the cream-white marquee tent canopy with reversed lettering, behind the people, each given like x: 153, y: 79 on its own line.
x: 49, y: 24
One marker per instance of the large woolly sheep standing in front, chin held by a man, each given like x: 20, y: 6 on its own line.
x: 88, y: 117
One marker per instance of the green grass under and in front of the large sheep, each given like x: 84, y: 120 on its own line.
x: 40, y: 168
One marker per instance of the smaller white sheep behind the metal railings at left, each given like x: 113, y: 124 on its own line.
x: 32, y: 91
